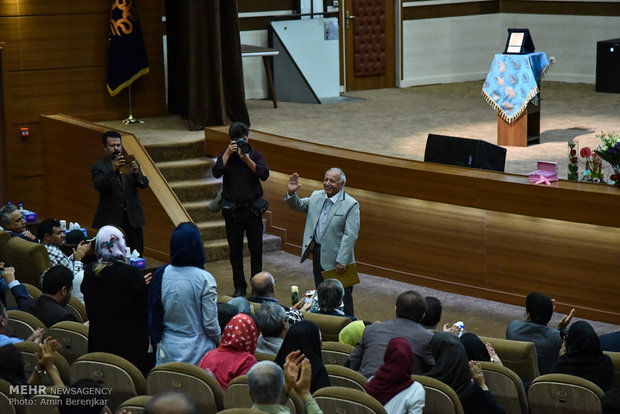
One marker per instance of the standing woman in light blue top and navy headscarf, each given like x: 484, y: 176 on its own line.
x: 183, y: 302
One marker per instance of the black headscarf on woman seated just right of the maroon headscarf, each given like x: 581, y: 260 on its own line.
x: 451, y: 365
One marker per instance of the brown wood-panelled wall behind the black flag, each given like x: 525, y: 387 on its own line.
x: 56, y: 61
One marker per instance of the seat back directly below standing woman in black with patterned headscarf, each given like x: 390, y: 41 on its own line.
x: 111, y: 371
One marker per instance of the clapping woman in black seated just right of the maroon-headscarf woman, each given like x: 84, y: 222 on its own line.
x: 452, y: 368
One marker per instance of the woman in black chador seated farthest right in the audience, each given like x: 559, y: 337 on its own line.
x: 584, y: 357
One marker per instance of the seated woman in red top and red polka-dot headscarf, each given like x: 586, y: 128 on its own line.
x: 235, y: 354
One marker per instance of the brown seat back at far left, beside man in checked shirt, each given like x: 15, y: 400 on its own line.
x: 29, y: 259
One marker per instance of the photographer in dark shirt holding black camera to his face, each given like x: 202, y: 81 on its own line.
x: 242, y: 201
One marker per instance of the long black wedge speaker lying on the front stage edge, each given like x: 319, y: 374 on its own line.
x: 464, y: 152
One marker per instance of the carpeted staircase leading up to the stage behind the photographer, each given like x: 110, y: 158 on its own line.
x: 188, y: 173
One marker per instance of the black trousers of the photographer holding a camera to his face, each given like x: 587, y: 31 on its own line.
x: 237, y: 223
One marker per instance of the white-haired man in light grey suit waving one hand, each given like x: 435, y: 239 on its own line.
x: 332, y: 226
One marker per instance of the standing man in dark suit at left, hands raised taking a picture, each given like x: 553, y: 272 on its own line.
x: 119, y: 202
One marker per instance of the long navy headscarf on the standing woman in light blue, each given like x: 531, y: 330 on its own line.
x: 186, y: 249
